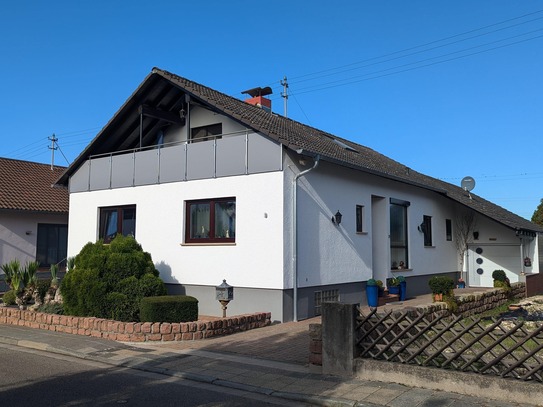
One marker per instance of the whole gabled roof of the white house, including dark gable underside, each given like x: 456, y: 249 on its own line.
x: 167, y: 92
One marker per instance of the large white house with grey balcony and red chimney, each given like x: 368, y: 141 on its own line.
x: 218, y: 188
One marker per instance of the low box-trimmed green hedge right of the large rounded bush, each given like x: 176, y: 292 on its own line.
x: 169, y: 308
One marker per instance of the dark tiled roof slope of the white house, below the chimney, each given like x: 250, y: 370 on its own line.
x: 296, y: 135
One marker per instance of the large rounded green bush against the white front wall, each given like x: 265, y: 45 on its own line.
x: 108, y: 281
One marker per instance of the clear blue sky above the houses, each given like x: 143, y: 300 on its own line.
x: 448, y: 88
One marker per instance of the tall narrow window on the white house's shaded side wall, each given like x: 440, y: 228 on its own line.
x: 398, y: 234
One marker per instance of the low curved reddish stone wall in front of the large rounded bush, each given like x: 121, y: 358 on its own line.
x: 134, y: 331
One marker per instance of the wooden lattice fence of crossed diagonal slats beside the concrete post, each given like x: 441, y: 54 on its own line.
x: 486, y: 346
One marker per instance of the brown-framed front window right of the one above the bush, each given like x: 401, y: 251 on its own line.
x: 211, y: 221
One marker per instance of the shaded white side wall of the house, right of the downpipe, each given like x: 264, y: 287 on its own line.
x: 329, y: 254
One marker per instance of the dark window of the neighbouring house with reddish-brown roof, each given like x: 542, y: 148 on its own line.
x: 52, y: 244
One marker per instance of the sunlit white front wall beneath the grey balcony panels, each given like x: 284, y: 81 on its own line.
x: 256, y: 259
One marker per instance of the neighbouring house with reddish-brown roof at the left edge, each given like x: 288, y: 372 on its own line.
x: 33, y: 214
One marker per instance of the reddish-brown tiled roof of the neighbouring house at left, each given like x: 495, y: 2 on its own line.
x: 28, y: 186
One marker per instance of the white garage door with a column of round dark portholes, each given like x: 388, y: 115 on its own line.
x: 483, y: 260
